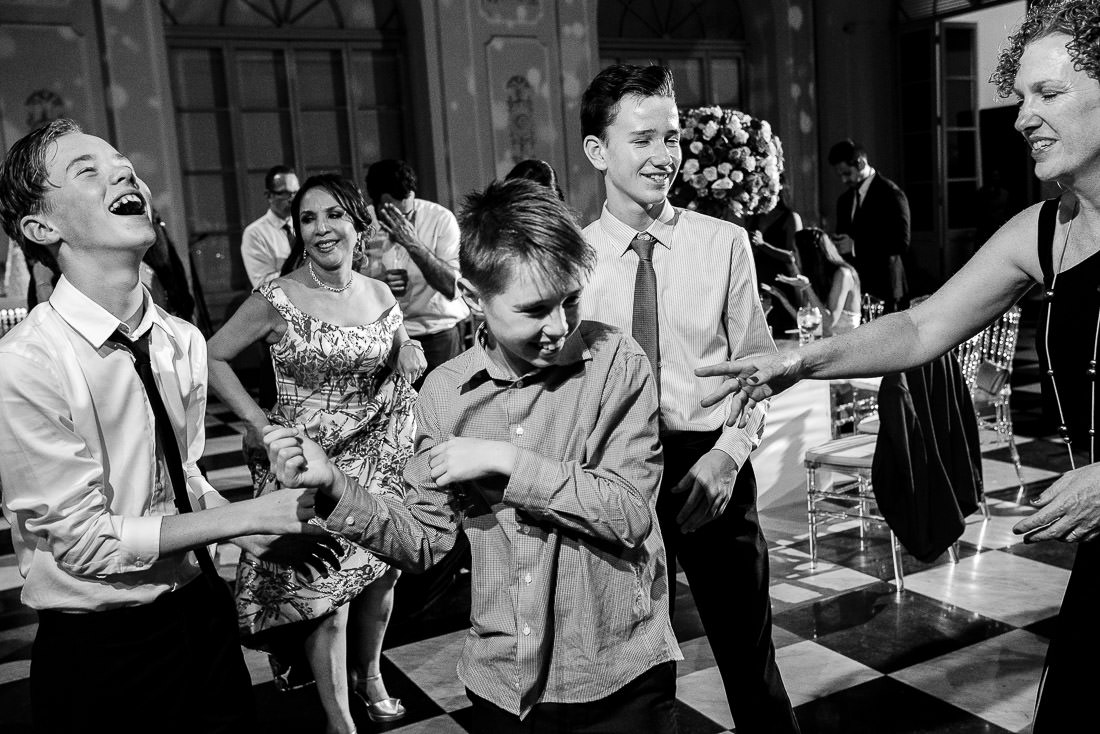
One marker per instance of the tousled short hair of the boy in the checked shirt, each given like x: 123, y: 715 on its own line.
x: 520, y: 221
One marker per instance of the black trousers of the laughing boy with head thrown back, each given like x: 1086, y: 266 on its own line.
x: 174, y: 665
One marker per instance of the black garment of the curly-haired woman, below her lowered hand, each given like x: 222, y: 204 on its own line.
x: 1070, y: 682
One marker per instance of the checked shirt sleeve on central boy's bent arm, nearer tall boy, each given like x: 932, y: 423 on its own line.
x: 609, y: 495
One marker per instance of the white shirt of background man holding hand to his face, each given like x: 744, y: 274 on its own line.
x: 426, y: 310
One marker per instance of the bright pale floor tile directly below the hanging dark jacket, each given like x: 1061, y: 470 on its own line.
x: 997, y: 585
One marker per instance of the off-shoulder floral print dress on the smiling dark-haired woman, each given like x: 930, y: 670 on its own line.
x: 336, y: 382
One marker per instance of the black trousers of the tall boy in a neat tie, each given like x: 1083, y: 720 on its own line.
x: 727, y: 565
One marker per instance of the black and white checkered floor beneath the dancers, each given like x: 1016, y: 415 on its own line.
x: 961, y: 650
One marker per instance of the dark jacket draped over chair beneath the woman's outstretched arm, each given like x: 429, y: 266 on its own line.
x: 927, y: 474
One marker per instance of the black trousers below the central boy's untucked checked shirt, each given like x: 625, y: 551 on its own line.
x: 645, y: 706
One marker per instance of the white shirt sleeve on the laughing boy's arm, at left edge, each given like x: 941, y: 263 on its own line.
x: 54, y: 486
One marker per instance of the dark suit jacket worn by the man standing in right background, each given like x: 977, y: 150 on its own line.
x: 882, y: 233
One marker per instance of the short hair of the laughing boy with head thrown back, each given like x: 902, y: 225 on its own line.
x: 25, y: 180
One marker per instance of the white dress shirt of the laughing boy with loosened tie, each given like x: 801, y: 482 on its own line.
x: 83, y: 487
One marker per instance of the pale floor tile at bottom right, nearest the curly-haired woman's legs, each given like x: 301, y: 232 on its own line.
x: 996, y: 680
